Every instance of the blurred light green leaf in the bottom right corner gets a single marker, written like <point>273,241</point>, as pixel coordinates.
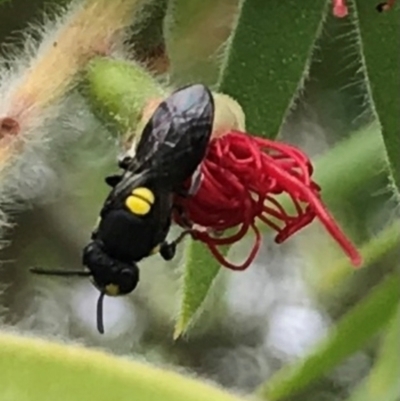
<point>383,383</point>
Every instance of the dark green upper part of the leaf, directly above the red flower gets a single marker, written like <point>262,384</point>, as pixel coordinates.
<point>268,58</point>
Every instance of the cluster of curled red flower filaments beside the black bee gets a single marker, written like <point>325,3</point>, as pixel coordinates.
<point>241,177</point>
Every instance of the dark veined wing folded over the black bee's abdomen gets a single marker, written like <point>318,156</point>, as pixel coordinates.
<point>175,140</point>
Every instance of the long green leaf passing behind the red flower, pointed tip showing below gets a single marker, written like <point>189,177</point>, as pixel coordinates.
<point>265,64</point>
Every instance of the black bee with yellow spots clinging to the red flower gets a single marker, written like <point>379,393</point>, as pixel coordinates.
<point>136,216</point>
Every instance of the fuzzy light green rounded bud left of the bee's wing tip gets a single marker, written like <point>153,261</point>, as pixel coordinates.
<point>118,91</point>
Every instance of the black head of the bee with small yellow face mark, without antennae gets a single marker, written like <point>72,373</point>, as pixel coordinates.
<point>110,276</point>
